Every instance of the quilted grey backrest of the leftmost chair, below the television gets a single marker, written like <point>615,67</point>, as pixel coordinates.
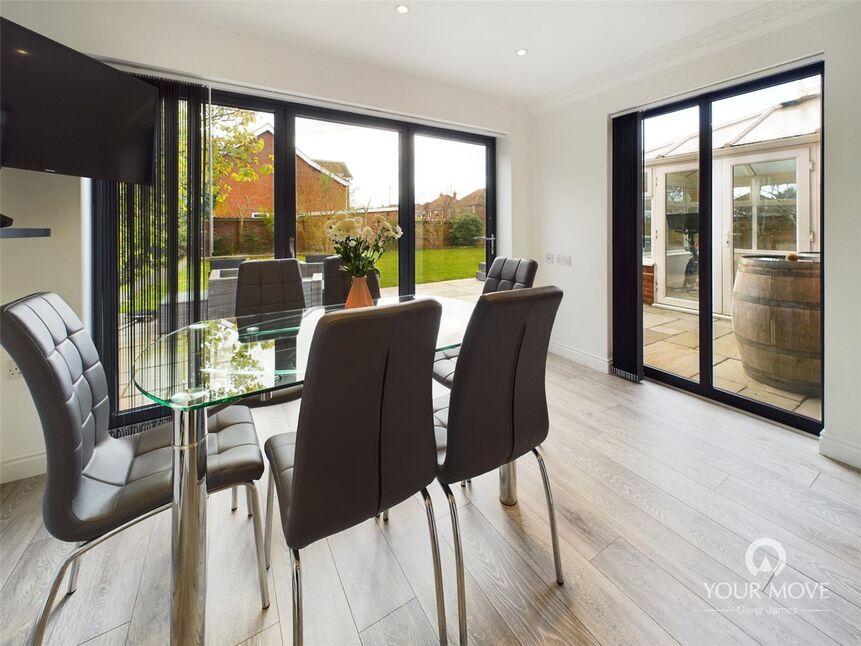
<point>61,367</point>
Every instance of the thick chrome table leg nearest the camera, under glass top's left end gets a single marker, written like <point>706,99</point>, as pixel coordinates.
<point>188,528</point>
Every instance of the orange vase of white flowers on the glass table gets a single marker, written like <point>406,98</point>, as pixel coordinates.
<point>361,243</point>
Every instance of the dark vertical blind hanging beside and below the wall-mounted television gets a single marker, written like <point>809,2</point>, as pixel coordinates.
<point>147,248</point>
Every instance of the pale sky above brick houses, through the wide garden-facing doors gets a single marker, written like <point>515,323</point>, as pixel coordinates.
<point>371,154</point>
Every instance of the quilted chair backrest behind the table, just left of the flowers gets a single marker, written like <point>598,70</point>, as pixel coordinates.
<point>266,286</point>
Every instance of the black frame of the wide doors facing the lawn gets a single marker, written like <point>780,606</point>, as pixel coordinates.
<point>287,112</point>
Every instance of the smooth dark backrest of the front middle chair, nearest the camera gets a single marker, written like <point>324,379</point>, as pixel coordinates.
<point>365,438</point>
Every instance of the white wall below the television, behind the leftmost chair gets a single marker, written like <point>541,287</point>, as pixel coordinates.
<point>30,265</point>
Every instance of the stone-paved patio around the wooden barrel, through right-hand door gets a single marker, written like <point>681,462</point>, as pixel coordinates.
<point>671,343</point>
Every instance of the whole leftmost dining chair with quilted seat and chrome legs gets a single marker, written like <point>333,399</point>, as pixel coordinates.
<point>98,486</point>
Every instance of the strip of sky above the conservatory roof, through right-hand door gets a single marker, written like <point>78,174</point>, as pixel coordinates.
<point>672,126</point>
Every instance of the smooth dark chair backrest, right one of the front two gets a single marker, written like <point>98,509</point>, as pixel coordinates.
<point>498,405</point>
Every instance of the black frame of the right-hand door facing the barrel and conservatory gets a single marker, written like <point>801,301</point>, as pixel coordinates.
<point>705,387</point>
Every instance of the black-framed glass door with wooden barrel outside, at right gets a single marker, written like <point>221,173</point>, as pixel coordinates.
<point>731,255</point>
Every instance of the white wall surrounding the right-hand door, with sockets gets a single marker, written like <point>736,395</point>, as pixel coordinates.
<point>570,191</point>
